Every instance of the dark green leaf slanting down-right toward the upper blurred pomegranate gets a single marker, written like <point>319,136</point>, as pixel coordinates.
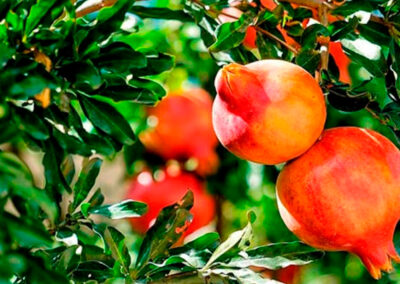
<point>106,118</point>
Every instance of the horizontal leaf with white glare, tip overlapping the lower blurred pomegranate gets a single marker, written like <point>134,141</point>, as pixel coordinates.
<point>124,209</point>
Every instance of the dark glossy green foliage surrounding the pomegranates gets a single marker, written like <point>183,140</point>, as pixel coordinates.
<point>69,85</point>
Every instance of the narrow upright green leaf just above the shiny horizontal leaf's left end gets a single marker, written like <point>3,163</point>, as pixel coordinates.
<point>86,180</point>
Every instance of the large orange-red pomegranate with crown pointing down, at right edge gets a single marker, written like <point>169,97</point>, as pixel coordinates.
<point>343,194</point>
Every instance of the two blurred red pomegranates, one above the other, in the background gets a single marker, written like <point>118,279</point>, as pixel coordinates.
<point>180,132</point>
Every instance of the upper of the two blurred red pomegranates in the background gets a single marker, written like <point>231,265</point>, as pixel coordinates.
<point>181,128</point>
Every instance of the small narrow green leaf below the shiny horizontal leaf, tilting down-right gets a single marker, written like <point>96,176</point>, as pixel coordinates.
<point>119,251</point>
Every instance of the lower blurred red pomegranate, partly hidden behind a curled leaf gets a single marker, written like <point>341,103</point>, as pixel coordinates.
<point>170,188</point>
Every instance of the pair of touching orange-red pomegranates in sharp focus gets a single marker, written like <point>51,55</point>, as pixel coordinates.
<point>339,189</point>
